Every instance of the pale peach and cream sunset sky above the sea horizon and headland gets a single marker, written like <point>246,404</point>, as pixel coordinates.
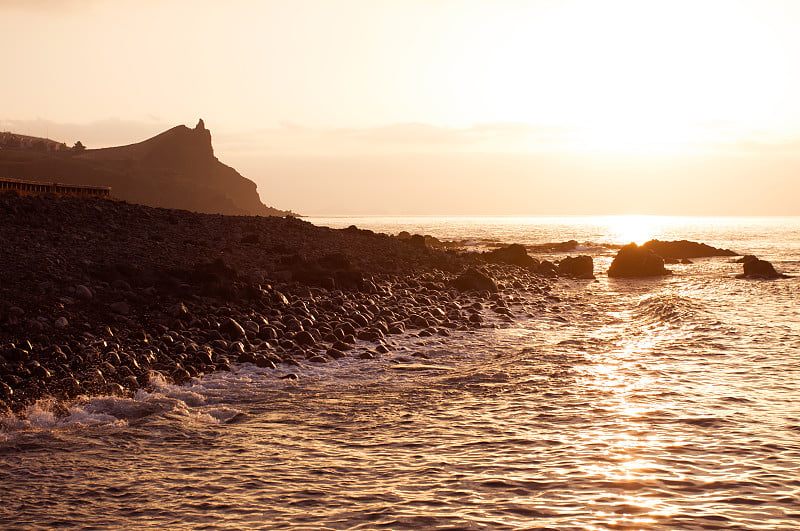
<point>440,107</point>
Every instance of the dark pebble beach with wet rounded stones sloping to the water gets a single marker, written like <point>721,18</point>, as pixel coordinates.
<point>97,296</point>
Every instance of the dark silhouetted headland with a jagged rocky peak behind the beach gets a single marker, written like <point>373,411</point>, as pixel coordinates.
<point>175,169</point>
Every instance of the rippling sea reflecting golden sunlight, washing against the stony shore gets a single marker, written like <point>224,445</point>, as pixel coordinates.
<point>660,403</point>
